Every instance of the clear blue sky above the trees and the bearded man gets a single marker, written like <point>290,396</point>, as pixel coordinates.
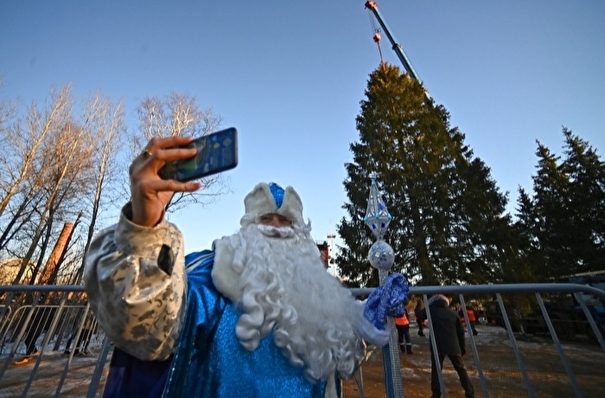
<point>290,76</point>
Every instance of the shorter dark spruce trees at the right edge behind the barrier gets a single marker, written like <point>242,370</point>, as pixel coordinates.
<point>564,222</point>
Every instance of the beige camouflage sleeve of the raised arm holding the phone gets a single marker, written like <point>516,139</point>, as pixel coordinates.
<point>134,277</point>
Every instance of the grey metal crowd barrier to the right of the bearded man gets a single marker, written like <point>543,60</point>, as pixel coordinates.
<point>527,337</point>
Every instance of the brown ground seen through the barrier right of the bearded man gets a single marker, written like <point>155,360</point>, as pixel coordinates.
<point>545,370</point>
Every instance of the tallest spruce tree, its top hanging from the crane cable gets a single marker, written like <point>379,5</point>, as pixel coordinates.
<point>448,216</point>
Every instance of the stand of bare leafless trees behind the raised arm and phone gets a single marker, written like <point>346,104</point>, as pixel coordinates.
<point>66,164</point>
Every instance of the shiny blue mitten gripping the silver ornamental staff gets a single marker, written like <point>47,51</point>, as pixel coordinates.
<point>387,300</point>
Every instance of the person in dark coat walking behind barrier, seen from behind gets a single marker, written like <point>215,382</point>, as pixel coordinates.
<point>449,338</point>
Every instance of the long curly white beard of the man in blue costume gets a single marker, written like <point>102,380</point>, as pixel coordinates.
<point>286,289</point>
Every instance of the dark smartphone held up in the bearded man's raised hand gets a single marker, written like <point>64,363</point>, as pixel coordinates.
<point>216,152</point>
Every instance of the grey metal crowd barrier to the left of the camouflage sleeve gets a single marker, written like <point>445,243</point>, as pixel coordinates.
<point>50,343</point>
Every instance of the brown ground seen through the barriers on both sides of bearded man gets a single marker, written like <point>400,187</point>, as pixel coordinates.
<point>499,366</point>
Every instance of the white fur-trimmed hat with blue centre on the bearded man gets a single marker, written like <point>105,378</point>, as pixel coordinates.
<point>273,199</point>
